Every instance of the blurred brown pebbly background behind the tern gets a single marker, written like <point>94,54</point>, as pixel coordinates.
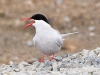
<point>67,16</point>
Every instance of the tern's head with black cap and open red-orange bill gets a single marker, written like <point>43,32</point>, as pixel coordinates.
<point>35,18</point>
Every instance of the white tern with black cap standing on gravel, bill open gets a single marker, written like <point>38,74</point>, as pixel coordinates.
<point>48,40</point>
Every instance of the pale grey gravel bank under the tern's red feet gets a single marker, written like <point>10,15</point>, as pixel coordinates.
<point>86,62</point>
